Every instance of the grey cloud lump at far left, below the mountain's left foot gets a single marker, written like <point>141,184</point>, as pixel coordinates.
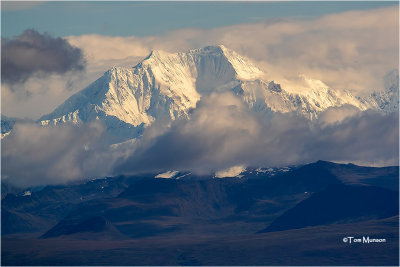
<point>34,155</point>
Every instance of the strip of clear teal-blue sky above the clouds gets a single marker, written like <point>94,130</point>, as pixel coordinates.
<point>153,18</point>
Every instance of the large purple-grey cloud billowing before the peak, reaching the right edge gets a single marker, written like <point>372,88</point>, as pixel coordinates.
<point>223,132</point>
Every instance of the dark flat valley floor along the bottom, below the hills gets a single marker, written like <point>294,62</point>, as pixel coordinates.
<point>318,245</point>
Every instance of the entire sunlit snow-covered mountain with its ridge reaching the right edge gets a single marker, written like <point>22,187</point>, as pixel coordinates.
<point>166,85</point>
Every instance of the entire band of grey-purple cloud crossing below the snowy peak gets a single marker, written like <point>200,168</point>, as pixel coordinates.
<point>222,132</point>
